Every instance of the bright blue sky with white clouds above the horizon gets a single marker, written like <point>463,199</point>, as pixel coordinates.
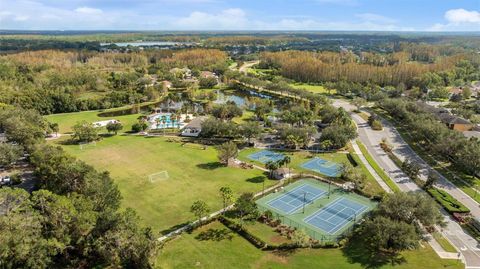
<point>380,15</point>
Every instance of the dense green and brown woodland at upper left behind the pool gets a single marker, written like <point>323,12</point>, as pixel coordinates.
<point>55,81</point>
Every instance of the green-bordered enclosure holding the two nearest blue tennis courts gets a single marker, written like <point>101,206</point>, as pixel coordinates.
<point>322,210</point>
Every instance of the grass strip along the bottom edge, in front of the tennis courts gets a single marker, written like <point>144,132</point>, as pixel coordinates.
<point>187,251</point>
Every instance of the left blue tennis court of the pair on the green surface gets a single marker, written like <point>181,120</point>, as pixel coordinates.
<point>294,199</point>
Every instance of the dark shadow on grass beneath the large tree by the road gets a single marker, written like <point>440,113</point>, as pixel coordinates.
<point>357,251</point>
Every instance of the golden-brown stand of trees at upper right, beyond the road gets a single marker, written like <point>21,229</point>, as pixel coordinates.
<point>411,66</point>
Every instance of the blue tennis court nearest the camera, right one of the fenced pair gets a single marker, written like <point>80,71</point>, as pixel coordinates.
<point>335,215</point>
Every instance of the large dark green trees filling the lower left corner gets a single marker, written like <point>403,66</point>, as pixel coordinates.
<point>74,219</point>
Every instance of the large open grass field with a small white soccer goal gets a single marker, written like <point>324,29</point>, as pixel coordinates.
<point>193,174</point>
